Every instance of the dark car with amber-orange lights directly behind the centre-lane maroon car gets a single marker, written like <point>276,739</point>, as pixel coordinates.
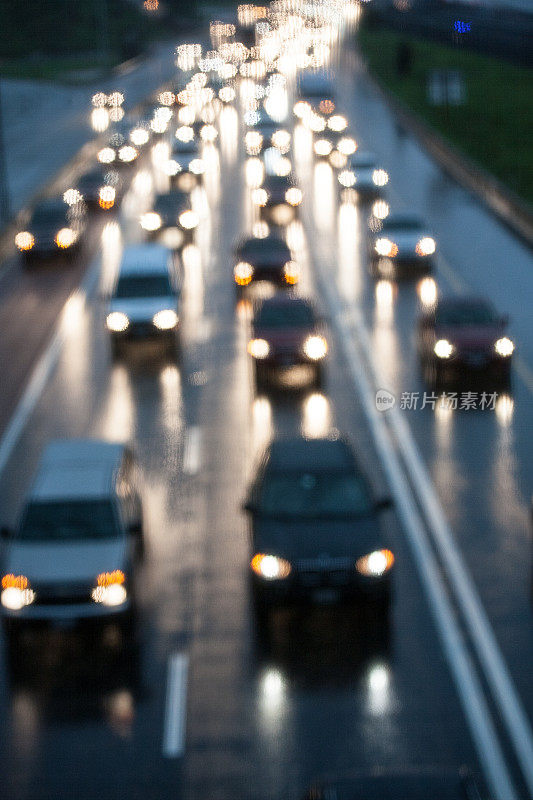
<point>264,259</point>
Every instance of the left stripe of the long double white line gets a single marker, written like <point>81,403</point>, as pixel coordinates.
<point>467,683</point>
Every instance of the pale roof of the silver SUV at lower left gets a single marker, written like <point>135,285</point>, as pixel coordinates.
<point>76,469</point>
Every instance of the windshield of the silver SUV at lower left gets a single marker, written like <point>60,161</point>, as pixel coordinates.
<point>69,521</point>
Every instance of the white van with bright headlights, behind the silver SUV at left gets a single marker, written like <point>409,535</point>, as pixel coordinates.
<point>145,302</point>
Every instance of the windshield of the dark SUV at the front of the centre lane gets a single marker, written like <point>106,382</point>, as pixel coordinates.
<point>305,495</point>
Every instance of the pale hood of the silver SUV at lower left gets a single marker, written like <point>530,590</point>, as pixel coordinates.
<point>51,562</point>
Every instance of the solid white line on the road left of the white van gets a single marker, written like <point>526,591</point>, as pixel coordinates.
<point>44,368</point>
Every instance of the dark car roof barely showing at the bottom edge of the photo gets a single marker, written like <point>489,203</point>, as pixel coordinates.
<point>415,784</point>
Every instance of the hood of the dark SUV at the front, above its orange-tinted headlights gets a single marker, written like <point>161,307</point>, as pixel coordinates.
<point>317,538</point>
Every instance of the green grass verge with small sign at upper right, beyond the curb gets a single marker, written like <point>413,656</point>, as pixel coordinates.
<point>493,127</point>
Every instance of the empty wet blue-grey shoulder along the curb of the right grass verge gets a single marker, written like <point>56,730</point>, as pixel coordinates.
<point>479,248</point>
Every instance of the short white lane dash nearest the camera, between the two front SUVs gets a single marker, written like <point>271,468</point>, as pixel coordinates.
<point>175,706</point>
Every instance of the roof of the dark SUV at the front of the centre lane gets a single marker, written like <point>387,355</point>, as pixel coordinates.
<point>317,455</point>
